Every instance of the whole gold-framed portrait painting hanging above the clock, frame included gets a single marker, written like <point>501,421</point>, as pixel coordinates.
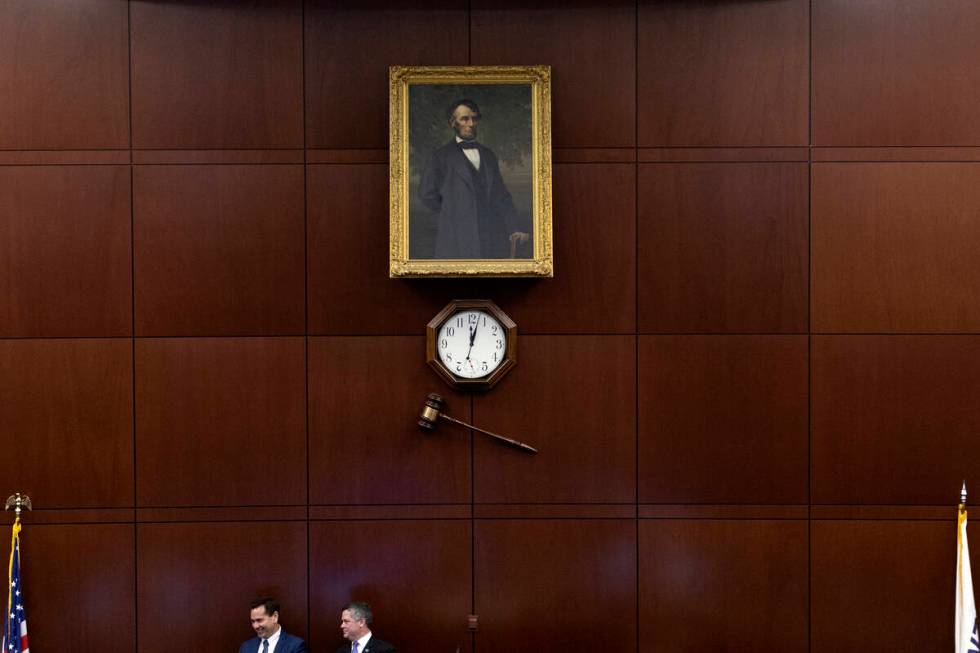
<point>470,171</point>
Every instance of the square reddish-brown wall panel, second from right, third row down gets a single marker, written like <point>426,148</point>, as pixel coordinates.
<point>723,419</point>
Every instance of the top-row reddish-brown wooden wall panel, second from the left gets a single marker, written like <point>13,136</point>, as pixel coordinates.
<point>222,74</point>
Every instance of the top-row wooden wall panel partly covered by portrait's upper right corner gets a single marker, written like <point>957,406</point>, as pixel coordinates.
<point>591,49</point>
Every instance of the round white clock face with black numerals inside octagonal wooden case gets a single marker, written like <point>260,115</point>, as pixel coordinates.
<point>472,344</point>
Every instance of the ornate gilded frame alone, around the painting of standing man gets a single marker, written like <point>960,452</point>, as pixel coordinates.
<point>541,264</point>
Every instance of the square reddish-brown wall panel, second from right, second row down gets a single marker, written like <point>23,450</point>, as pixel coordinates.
<point>722,247</point>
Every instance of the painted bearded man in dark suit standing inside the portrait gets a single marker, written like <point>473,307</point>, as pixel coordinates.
<point>462,186</point>
